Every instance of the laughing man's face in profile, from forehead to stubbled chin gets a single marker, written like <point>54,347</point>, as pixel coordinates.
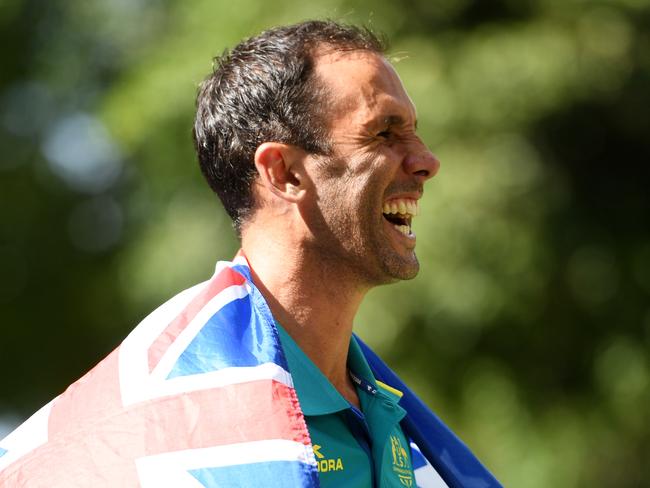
<point>367,191</point>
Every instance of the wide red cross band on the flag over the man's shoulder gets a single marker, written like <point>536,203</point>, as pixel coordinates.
<point>100,452</point>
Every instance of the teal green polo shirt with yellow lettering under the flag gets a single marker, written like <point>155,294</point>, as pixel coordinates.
<point>353,448</point>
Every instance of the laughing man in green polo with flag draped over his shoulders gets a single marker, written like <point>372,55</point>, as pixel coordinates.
<point>254,377</point>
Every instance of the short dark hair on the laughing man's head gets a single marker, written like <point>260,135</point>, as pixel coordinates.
<point>265,90</point>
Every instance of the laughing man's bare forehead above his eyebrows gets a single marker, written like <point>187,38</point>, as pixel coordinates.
<point>363,87</point>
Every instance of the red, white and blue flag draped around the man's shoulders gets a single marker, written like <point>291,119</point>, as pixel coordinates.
<point>198,395</point>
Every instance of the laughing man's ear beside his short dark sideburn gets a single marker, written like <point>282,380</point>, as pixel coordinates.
<point>280,169</point>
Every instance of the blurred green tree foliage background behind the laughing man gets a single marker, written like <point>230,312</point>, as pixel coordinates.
<point>528,329</point>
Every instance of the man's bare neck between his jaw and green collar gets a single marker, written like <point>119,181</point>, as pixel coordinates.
<point>313,300</point>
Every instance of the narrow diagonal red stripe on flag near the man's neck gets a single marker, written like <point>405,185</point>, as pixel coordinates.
<point>226,277</point>
